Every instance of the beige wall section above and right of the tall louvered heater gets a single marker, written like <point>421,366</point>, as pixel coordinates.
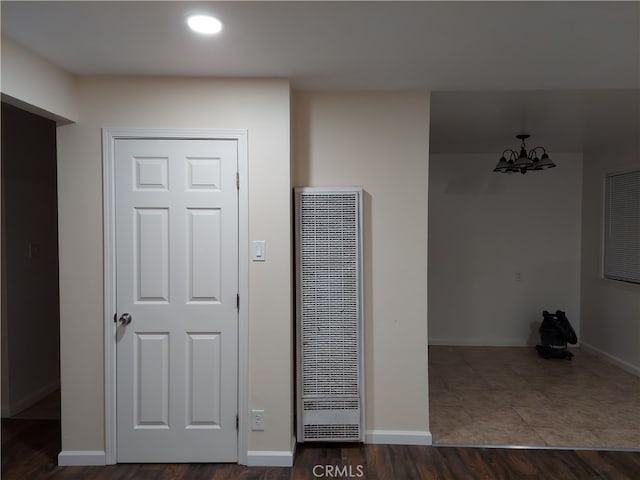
<point>380,141</point>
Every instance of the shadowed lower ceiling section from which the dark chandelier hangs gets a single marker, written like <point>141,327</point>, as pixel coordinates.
<point>560,120</point>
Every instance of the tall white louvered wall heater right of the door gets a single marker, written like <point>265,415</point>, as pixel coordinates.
<point>329,314</point>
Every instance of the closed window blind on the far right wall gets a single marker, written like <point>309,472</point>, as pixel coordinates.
<point>622,227</point>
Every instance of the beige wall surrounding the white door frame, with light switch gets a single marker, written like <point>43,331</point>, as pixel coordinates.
<point>261,107</point>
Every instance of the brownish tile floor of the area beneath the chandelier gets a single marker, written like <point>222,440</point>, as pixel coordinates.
<point>511,396</point>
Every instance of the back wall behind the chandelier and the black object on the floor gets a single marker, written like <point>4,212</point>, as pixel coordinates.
<point>484,229</point>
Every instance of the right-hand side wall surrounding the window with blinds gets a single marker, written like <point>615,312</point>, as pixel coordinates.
<point>610,309</point>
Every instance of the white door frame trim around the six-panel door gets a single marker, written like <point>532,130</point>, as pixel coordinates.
<point>109,137</point>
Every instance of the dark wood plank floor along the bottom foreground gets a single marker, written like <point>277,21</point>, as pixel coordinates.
<point>30,448</point>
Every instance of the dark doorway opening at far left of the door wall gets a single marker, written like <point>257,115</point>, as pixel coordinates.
<point>30,288</point>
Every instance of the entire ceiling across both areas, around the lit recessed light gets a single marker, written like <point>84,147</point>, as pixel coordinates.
<point>554,69</point>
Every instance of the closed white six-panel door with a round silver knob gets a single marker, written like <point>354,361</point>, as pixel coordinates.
<point>177,278</point>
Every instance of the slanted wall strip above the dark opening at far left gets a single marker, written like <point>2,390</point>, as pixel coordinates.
<point>30,82</point>
